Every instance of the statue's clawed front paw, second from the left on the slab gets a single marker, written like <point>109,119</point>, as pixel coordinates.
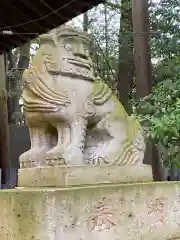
<point>54,157</point>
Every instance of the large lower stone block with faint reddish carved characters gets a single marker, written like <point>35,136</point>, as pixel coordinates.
<point>107,212</point>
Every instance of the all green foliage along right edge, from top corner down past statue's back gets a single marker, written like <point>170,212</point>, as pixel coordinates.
<point>159,112</point>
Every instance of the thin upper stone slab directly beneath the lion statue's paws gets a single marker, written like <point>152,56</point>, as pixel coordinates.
<point>65,175</point>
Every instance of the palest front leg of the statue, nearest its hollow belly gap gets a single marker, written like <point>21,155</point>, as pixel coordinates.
<point>74,153</point>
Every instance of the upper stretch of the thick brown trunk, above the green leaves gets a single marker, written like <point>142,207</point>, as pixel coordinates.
<point>141,48</point>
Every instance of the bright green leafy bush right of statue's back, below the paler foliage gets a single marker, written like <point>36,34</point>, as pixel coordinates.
<point>159,112</point>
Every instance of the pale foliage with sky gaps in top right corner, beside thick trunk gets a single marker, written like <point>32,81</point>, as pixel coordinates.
<point>166,29</point>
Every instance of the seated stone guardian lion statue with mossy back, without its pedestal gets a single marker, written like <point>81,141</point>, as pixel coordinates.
<point>74,118</point>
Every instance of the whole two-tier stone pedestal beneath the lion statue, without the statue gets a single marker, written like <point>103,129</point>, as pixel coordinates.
<point>87,204</point>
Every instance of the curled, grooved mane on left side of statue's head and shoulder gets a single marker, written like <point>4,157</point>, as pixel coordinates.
<point>44,65</point>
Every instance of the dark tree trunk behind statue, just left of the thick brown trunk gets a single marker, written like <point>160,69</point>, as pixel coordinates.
<point>126,64</point>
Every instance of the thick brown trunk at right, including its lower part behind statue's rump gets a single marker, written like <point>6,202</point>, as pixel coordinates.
<point>144,72</point>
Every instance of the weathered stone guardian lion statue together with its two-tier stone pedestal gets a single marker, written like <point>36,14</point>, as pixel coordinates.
<point>83,141</point>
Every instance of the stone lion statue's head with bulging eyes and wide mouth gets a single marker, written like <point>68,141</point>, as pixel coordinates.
<point>67,52</point>
